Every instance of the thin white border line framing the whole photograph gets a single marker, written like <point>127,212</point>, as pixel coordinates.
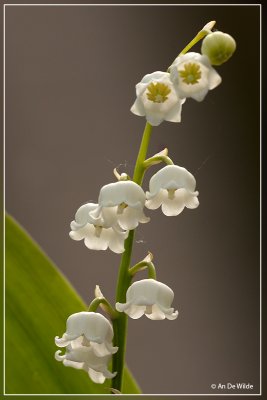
<point>4,92</point>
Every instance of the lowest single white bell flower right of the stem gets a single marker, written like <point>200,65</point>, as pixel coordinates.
<point>148,297</point>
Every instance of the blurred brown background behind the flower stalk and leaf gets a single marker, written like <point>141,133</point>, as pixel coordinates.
<point>70,78</point>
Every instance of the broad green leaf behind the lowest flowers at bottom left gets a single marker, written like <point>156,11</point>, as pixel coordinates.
<point>38,301</point>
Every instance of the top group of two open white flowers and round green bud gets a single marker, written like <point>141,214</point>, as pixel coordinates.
<point>160,95</point>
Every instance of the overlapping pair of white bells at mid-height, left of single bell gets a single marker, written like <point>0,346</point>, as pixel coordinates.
<point>107,224</point>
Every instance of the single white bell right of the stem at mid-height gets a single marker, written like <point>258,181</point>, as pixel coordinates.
<point>172,188</point>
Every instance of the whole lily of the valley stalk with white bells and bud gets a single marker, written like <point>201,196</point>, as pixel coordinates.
<point>97,343</point>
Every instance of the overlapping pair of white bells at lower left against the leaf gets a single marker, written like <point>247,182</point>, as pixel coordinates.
<point>88,342</point>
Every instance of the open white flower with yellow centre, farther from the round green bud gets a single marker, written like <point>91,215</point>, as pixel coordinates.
<point>157,99</point>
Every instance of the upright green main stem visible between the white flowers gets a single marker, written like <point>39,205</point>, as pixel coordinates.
<point>124,278</point>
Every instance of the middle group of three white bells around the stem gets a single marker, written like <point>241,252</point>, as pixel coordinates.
<point>121,205</point>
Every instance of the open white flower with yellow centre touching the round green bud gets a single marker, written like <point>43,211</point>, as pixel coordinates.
<point>193,76</point>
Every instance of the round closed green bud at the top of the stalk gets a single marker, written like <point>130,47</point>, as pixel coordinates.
<point>218,47</point>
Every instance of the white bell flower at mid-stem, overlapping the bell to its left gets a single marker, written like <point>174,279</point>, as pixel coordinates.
<point>121,203</point>
